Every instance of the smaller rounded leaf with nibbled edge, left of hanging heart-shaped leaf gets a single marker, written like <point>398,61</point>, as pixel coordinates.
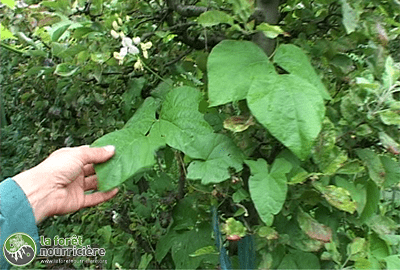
<point>218,155</point>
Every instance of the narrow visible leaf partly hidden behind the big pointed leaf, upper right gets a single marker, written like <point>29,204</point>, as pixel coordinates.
<point>295,61</point>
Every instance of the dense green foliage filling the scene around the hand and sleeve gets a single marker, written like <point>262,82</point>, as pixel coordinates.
<point>227,156</point>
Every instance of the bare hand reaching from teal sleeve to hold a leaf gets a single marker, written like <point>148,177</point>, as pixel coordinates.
<point>58,184</point>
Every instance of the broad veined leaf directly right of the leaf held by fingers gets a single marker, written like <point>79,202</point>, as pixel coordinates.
<point>180,120</point>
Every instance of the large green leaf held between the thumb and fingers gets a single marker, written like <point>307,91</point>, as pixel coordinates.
<point>134,149</point>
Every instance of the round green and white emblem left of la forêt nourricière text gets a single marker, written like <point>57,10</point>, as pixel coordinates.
<point>19,249</point>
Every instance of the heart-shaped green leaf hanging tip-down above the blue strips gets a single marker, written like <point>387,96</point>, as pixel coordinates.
<point>268,189</point>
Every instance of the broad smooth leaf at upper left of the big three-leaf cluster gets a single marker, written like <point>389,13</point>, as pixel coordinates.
<point>233,67</point>
